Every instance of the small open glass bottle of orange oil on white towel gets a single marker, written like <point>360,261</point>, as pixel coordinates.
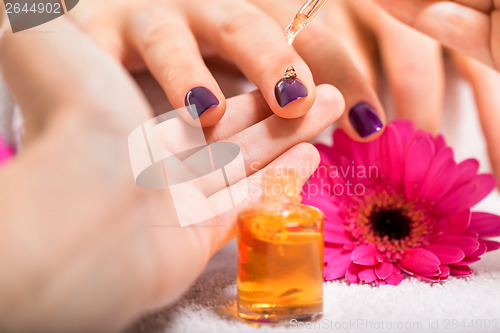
<point>280,254</point>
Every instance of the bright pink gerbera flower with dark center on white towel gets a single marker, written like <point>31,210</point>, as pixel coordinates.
<point>400,204</point>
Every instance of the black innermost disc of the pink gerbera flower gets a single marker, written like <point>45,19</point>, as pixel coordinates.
<point>391,223</point>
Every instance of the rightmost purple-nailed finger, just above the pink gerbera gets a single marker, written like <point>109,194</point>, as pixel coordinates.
<point>332,53</point>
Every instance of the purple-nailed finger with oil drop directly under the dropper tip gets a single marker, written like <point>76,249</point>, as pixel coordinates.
<point>256,44</point>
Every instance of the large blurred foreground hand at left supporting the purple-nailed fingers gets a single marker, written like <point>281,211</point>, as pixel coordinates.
<point>78,245</point>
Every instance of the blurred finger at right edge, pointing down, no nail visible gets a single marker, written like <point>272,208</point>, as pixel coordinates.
<point>485,83</point>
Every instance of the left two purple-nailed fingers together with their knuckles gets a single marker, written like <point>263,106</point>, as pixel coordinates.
<point>170,38</point>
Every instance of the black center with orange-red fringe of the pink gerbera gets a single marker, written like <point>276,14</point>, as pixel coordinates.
<point>384,218</point>
